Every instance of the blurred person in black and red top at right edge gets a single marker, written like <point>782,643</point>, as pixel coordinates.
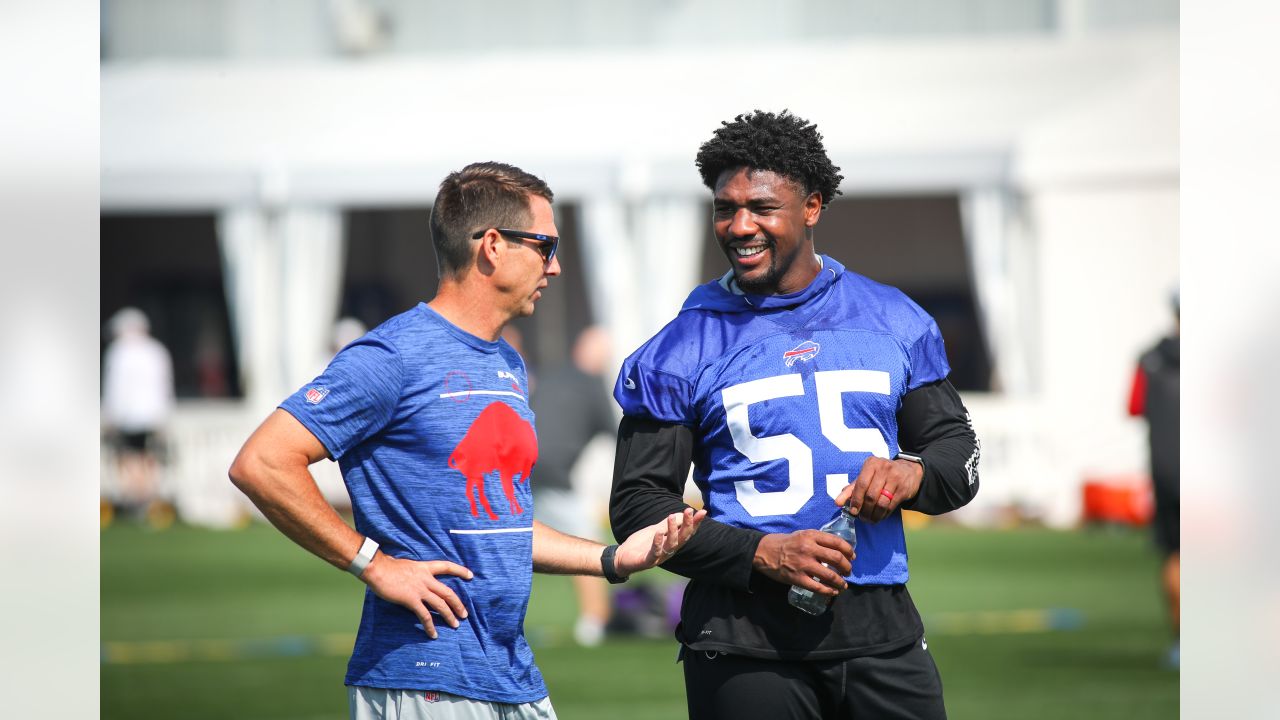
<point>1155,397</point>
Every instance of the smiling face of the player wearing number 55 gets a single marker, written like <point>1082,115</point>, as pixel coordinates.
<point>762,221</point>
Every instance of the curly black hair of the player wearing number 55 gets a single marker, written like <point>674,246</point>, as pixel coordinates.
<point>781,143</point>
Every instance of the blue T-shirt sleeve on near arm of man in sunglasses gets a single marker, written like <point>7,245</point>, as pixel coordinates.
<point>354,399</point>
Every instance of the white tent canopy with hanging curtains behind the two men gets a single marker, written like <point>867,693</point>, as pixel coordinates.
<point>1064,152</point>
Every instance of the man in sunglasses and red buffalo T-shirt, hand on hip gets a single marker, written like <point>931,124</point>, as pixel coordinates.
<point>428,418</point>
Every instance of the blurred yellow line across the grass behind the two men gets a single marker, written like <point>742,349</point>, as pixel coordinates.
<point>135,653</point>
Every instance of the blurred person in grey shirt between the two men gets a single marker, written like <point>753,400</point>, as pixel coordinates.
<point>573,407</point>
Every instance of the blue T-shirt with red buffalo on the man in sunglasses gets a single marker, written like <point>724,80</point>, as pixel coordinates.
<point>436,440</point>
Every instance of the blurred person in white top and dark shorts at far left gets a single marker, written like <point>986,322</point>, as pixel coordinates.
<point>138,402</point>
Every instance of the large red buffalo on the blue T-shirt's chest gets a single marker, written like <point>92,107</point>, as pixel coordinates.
<point>497,441</point>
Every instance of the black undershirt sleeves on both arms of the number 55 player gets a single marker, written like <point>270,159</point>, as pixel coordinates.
<point>653,461</point>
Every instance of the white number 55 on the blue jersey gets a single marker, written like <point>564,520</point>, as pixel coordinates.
<point>831,385</point>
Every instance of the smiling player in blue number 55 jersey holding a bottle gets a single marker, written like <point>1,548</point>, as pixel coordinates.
<point>793,385</point>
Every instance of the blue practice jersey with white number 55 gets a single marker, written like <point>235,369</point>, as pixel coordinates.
<point>788,397</point>
